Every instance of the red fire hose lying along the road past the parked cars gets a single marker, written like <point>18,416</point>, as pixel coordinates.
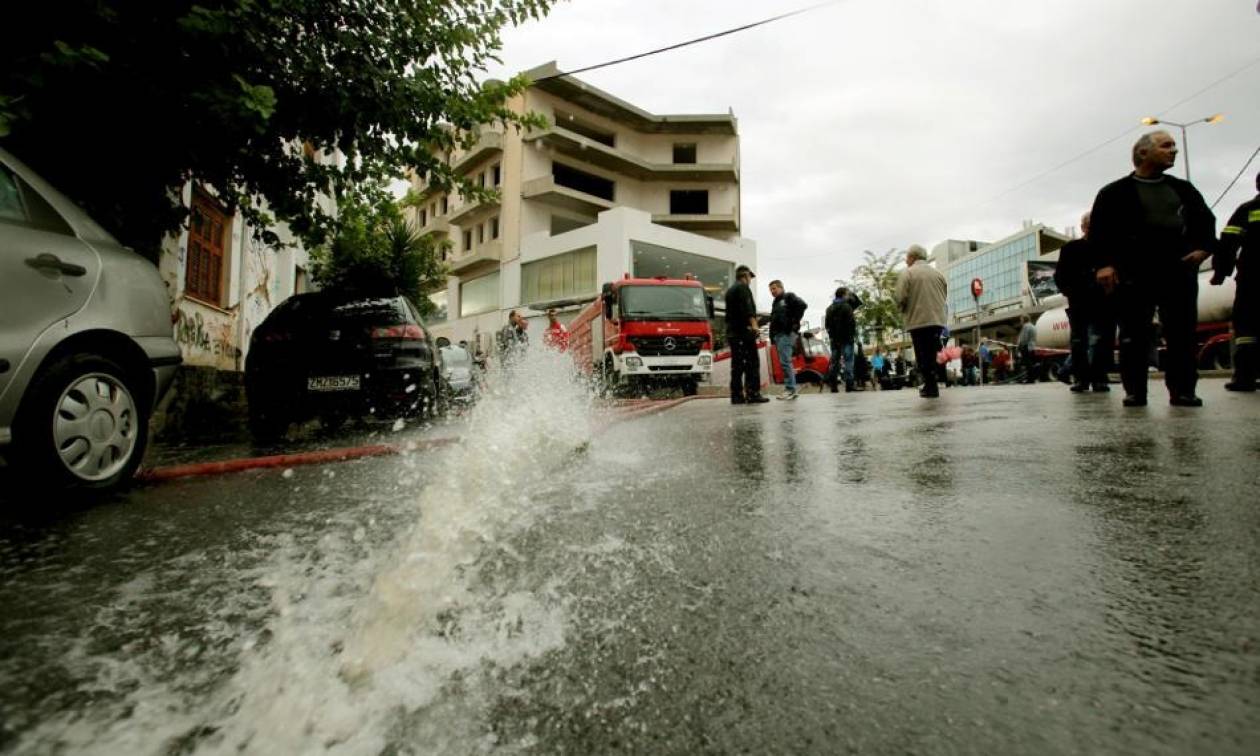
<point>353,453</point>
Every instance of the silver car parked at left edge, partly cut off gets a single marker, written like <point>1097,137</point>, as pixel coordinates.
<point>86,343</point>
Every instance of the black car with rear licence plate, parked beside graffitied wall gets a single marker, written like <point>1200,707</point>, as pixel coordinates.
<point>336,357</point>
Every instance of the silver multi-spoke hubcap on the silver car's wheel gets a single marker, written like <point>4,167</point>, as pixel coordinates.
<point>95,428</point>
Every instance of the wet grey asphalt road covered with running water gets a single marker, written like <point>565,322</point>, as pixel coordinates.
<point>1006,570</point>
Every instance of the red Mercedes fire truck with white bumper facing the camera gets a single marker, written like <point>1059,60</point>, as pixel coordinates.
<point>647,333</point>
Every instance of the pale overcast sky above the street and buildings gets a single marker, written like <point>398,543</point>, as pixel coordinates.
<point>878,124</point>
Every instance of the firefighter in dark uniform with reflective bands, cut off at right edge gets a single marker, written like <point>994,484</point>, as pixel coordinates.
<point>1240,240</point>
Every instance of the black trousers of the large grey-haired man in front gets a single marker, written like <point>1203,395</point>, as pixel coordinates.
<point>1174,293</point>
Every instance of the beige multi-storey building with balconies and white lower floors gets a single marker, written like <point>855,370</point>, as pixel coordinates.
<point>604,191</point>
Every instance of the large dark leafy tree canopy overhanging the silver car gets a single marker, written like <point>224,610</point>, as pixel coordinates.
<point>119,104</point>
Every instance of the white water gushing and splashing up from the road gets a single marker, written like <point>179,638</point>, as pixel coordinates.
<point>360,648</point>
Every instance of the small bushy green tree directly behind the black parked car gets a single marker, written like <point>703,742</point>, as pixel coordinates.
<point>377,251</point>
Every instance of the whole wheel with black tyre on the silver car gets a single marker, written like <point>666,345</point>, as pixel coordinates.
<point>83,425</point>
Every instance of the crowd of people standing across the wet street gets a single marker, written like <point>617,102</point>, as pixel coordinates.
<point>1145,241</point>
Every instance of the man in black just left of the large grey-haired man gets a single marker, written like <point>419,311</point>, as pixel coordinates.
<point>1089,313</point>
